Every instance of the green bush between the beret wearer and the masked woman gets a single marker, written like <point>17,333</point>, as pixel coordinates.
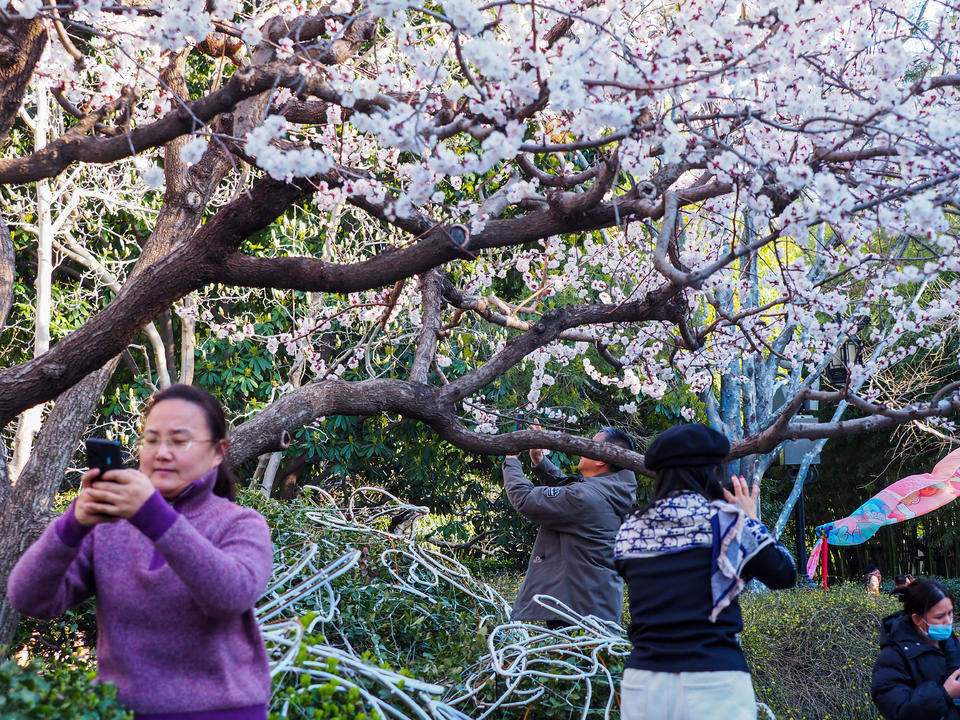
<point>811,653</point>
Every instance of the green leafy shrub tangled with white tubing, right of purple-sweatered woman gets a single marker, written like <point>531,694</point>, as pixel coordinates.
<point>435,639</point>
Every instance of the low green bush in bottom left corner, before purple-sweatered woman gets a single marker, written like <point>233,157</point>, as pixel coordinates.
<point>55,691</point>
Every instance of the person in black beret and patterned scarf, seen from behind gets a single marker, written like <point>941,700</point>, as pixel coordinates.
<point>685,558</point>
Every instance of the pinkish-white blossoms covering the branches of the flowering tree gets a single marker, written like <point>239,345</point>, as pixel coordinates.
<point>822,157</point>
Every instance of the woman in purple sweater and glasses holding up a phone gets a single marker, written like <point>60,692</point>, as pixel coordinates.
<point>176,568</point>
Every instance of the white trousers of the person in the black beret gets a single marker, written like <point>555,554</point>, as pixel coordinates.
<point>724,695</point>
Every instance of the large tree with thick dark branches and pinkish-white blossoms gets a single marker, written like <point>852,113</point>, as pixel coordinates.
<point>682,190</point>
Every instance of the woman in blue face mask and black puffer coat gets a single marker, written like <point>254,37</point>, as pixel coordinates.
<point>916,675</point>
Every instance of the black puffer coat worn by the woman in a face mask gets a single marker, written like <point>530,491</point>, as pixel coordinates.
<point>910,671</point>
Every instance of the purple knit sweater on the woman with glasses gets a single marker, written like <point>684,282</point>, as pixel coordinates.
<point>175,588</point>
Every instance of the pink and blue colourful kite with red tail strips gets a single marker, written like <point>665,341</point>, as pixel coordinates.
<point>903,500</point>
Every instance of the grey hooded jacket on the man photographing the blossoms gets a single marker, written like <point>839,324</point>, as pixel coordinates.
<point>572,558</point>
